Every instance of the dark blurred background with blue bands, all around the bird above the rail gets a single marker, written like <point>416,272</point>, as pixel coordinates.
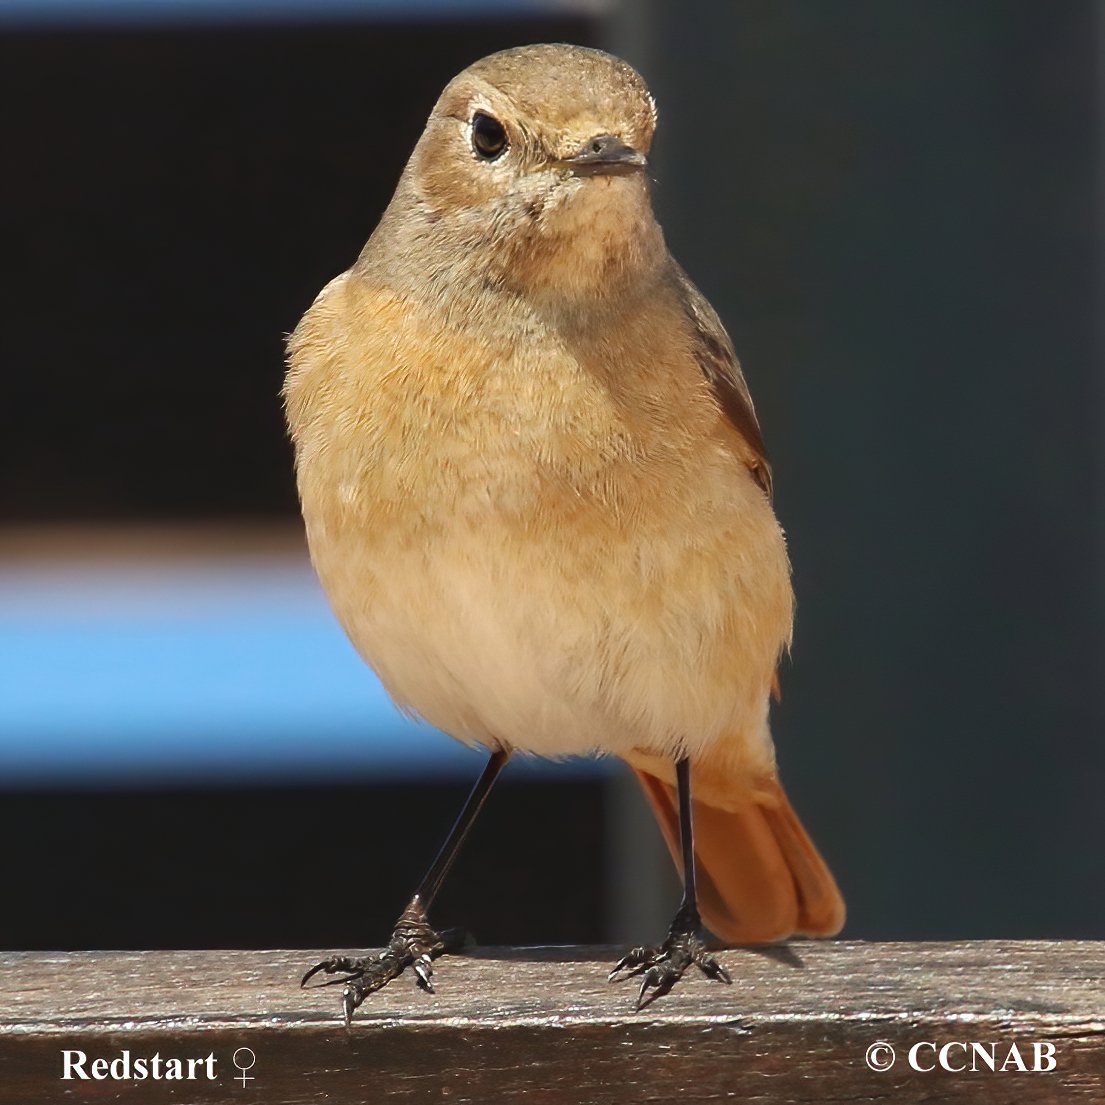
<point>897,211</point>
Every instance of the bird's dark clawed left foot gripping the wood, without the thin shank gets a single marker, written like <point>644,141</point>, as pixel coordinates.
<point>414,944</point>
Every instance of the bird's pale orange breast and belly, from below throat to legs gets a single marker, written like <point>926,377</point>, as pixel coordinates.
<point>538,541</point>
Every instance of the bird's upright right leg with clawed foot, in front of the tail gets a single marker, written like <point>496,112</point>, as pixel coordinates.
<point>661,967</point>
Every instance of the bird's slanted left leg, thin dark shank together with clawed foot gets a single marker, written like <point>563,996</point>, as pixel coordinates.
<point>414,943</point>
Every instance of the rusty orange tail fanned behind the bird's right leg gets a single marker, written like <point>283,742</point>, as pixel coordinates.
<point>760,877</point>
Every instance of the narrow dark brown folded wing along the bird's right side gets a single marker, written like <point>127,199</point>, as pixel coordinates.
<point>719,363</point>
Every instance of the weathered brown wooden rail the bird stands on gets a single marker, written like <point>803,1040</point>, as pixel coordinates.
<point>544,1027</point>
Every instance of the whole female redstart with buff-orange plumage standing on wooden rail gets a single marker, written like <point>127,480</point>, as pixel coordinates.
<point>538,497</point>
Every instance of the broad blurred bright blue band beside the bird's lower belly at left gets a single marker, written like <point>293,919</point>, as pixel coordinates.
<point>219,672</point>
